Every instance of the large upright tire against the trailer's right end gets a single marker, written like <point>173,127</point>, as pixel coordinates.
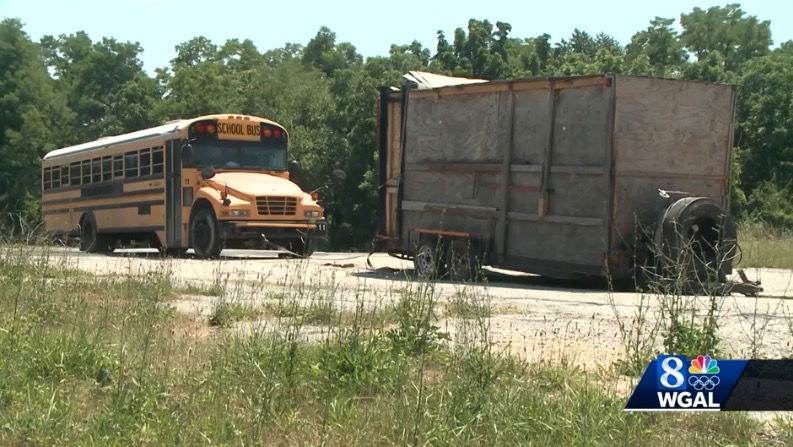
<point>695,240</point>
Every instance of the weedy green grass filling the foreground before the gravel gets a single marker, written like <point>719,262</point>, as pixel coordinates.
<point>107,361</point>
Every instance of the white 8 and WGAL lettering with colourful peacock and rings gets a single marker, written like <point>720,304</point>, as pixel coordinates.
<point>686,388</point>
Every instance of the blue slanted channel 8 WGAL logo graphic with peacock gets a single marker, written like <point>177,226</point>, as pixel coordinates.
<point>675,383</point>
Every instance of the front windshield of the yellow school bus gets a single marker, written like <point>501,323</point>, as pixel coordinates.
<point>245,155</point>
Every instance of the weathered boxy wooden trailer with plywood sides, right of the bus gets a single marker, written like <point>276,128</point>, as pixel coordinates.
<point>565,177</point>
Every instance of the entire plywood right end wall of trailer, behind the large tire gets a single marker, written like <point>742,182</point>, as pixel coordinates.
<point>669,135</point>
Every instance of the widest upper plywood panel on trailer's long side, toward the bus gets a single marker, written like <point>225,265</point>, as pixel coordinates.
<point>452,129</point>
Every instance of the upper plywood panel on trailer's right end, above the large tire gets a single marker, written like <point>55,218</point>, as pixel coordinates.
<point>677,127</point>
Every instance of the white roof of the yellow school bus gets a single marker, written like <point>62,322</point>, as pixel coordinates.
<point>152,132</point>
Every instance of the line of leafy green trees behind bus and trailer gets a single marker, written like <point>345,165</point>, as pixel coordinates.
<point>69,89</point>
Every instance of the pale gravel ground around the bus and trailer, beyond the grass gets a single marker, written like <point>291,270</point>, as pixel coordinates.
<point>536,318</point>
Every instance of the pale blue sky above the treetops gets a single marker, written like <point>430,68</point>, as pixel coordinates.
<point>159,25</point>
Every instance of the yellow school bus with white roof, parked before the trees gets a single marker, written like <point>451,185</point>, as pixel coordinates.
<point>207,183</point>
